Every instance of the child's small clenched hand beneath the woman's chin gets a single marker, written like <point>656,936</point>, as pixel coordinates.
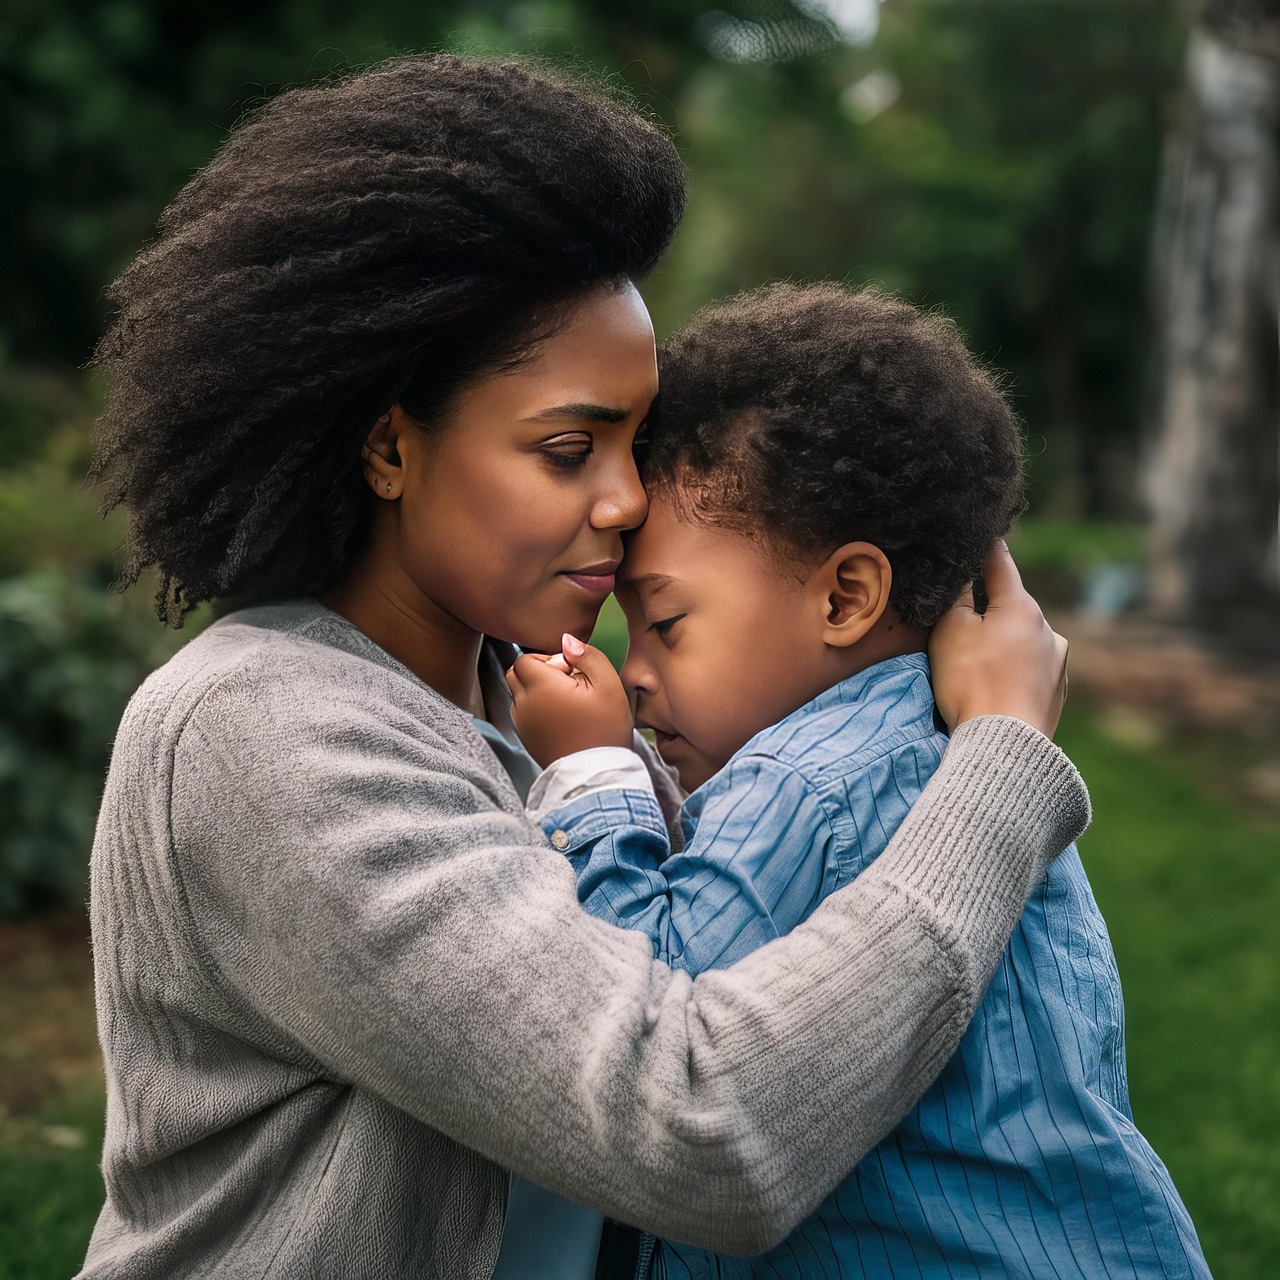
<point>568,703</point>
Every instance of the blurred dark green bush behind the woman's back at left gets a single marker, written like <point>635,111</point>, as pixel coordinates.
<point>71,655</point>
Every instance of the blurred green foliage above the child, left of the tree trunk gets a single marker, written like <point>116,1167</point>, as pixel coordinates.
<point>995,159</point>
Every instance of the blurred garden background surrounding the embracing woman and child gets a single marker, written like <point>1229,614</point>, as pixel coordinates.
<point>1089,186</point>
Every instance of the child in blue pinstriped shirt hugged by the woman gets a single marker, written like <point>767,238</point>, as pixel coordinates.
<point>828,473</point>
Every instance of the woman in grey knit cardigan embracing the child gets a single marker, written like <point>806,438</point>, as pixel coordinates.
<point>387,351</point>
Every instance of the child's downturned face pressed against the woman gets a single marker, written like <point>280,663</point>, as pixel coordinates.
<point>723,643</point>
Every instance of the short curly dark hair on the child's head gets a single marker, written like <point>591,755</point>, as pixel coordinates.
<point>819,415</point>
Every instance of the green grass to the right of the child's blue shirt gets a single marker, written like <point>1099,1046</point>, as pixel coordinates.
<point>1190,884</point>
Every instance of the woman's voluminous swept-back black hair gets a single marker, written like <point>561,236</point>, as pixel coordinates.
<point>378,240</point>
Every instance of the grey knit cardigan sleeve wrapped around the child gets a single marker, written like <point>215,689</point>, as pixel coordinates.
<point>359,883</point>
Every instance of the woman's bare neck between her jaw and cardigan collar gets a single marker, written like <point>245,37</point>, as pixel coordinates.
<point>413,629</point>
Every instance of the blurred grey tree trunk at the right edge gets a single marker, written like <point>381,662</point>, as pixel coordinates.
<point>1214,482</point>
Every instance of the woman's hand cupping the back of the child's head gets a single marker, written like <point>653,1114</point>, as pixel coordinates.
<point>1005,662</point>
